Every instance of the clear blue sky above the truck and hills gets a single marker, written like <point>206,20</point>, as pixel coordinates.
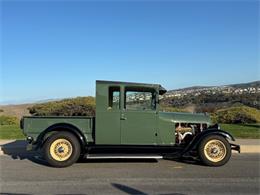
<point>57,49</point>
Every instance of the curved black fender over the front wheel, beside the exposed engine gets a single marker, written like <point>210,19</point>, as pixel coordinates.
<point>197,139</point>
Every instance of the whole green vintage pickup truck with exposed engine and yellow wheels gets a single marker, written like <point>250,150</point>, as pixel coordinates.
<point>128,124</point>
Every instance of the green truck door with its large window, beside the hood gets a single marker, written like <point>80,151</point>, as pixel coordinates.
<point>139,116</point>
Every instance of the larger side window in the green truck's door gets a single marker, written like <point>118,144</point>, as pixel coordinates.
<point>140,99</point>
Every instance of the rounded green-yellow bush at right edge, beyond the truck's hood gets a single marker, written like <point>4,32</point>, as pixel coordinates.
<point>237,114</point>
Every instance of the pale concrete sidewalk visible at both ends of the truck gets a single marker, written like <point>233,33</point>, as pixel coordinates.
<point>19,146</point>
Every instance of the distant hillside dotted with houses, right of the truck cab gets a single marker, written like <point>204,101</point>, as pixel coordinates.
<point>211,98</point>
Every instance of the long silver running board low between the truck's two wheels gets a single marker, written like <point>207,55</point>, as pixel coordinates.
<point>123,156</point>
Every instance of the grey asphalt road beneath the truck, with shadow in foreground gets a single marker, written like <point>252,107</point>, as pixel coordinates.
<point>29,175</point>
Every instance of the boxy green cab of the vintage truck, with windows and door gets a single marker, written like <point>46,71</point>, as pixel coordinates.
<point>127,113</point>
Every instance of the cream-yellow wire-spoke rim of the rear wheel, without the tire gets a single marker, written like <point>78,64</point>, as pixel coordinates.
<point>61,149</point>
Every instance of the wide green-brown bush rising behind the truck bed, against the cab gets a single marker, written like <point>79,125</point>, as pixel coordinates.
<point>80,106</point>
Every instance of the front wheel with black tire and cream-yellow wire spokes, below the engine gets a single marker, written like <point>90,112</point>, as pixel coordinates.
<point>214,150</point>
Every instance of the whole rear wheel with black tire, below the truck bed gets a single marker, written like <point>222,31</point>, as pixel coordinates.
<point>61,149</point>
